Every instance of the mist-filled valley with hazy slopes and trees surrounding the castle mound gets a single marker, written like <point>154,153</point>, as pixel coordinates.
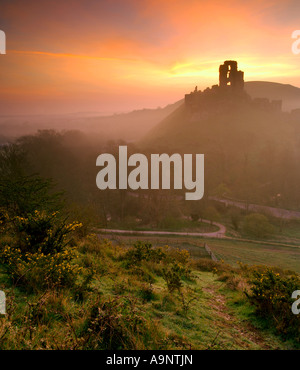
<point>251,155</point>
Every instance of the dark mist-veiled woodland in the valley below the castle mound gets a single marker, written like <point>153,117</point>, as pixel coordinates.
<point>40,170</point>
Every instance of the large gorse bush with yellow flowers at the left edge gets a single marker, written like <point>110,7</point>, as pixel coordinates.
<point>39,254</point>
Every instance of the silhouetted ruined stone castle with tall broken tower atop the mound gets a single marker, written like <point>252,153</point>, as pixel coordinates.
<point>229,94</point>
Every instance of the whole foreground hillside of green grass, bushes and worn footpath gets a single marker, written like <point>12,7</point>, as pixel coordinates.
<point>143,297</point>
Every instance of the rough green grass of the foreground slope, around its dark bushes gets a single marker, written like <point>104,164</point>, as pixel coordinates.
<point>217,317</point>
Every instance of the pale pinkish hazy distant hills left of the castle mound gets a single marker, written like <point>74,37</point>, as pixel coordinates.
<point>126,126</point>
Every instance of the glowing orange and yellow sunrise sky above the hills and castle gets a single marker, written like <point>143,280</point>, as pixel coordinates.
<point>117,55</point>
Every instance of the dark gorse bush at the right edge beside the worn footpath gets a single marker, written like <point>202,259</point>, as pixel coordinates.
<point>271,294</point>
